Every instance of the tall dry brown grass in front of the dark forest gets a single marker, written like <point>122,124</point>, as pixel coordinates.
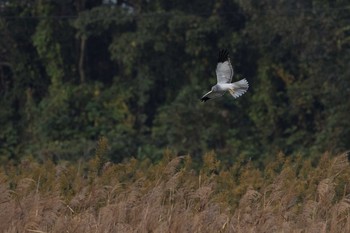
<point>290,195</point>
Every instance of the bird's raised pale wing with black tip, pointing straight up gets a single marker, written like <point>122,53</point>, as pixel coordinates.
<point>224,70</point>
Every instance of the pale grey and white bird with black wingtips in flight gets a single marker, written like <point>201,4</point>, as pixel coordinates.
<point>224,73</point>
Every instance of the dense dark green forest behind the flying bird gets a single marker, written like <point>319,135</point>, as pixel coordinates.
<point>131,72</point>
